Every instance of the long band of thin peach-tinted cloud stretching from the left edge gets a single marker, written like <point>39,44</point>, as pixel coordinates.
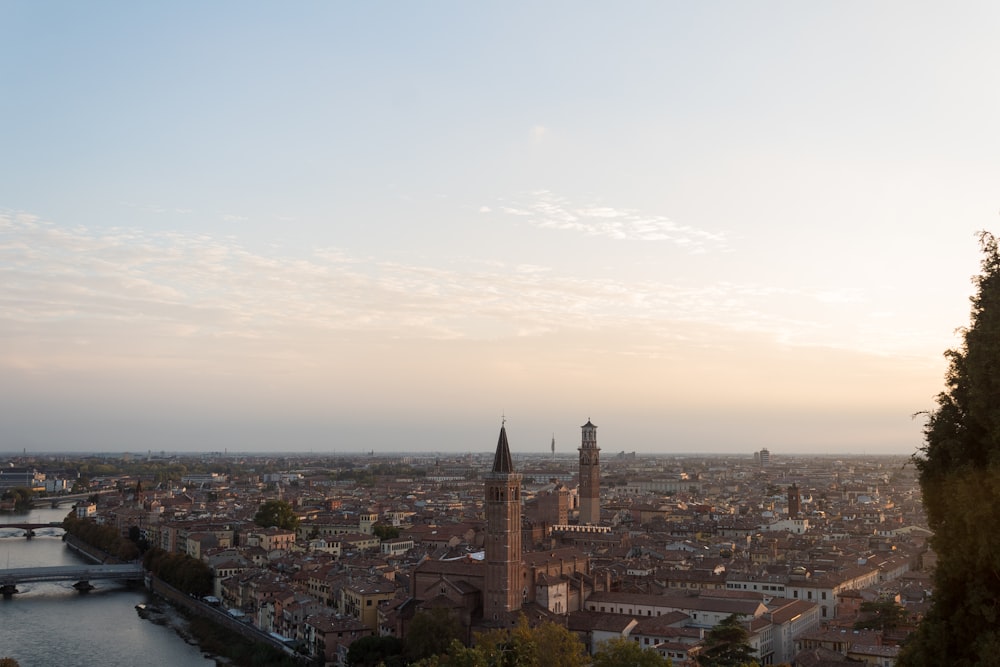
<point>131,292</point>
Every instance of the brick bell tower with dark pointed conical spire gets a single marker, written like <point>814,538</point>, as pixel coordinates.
<point>503,534</point>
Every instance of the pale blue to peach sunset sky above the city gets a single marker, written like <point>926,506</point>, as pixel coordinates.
<point>334,227</point>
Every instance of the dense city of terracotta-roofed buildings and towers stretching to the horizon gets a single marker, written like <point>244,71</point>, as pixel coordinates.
<point>653,549</point>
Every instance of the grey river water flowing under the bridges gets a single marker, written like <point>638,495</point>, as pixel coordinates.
<point>52,625</point>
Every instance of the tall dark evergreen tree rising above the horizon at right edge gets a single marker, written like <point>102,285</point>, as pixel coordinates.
<point>959,472</point>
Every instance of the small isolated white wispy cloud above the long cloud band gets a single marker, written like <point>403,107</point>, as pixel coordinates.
<point>549,211</point>
